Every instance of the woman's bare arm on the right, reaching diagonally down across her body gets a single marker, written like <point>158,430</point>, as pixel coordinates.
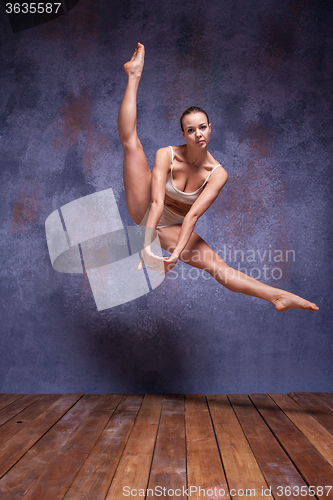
<point>199,207</point>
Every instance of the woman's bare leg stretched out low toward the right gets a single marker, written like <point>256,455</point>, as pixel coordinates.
<point>198,254</point>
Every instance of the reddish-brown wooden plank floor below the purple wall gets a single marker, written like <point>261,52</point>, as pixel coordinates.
<point>115,446</point>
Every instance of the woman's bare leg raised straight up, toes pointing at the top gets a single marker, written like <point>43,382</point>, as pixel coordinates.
<point>136,171</point>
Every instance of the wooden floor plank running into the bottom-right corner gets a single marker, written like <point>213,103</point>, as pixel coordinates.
<point>312,465</point>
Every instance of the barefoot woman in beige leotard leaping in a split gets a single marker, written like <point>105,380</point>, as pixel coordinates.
<point>184,183</point>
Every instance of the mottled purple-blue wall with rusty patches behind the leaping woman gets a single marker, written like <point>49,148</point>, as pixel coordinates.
<point>263,71</point>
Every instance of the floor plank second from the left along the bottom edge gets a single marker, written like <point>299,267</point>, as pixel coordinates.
<point>60,473</point>
